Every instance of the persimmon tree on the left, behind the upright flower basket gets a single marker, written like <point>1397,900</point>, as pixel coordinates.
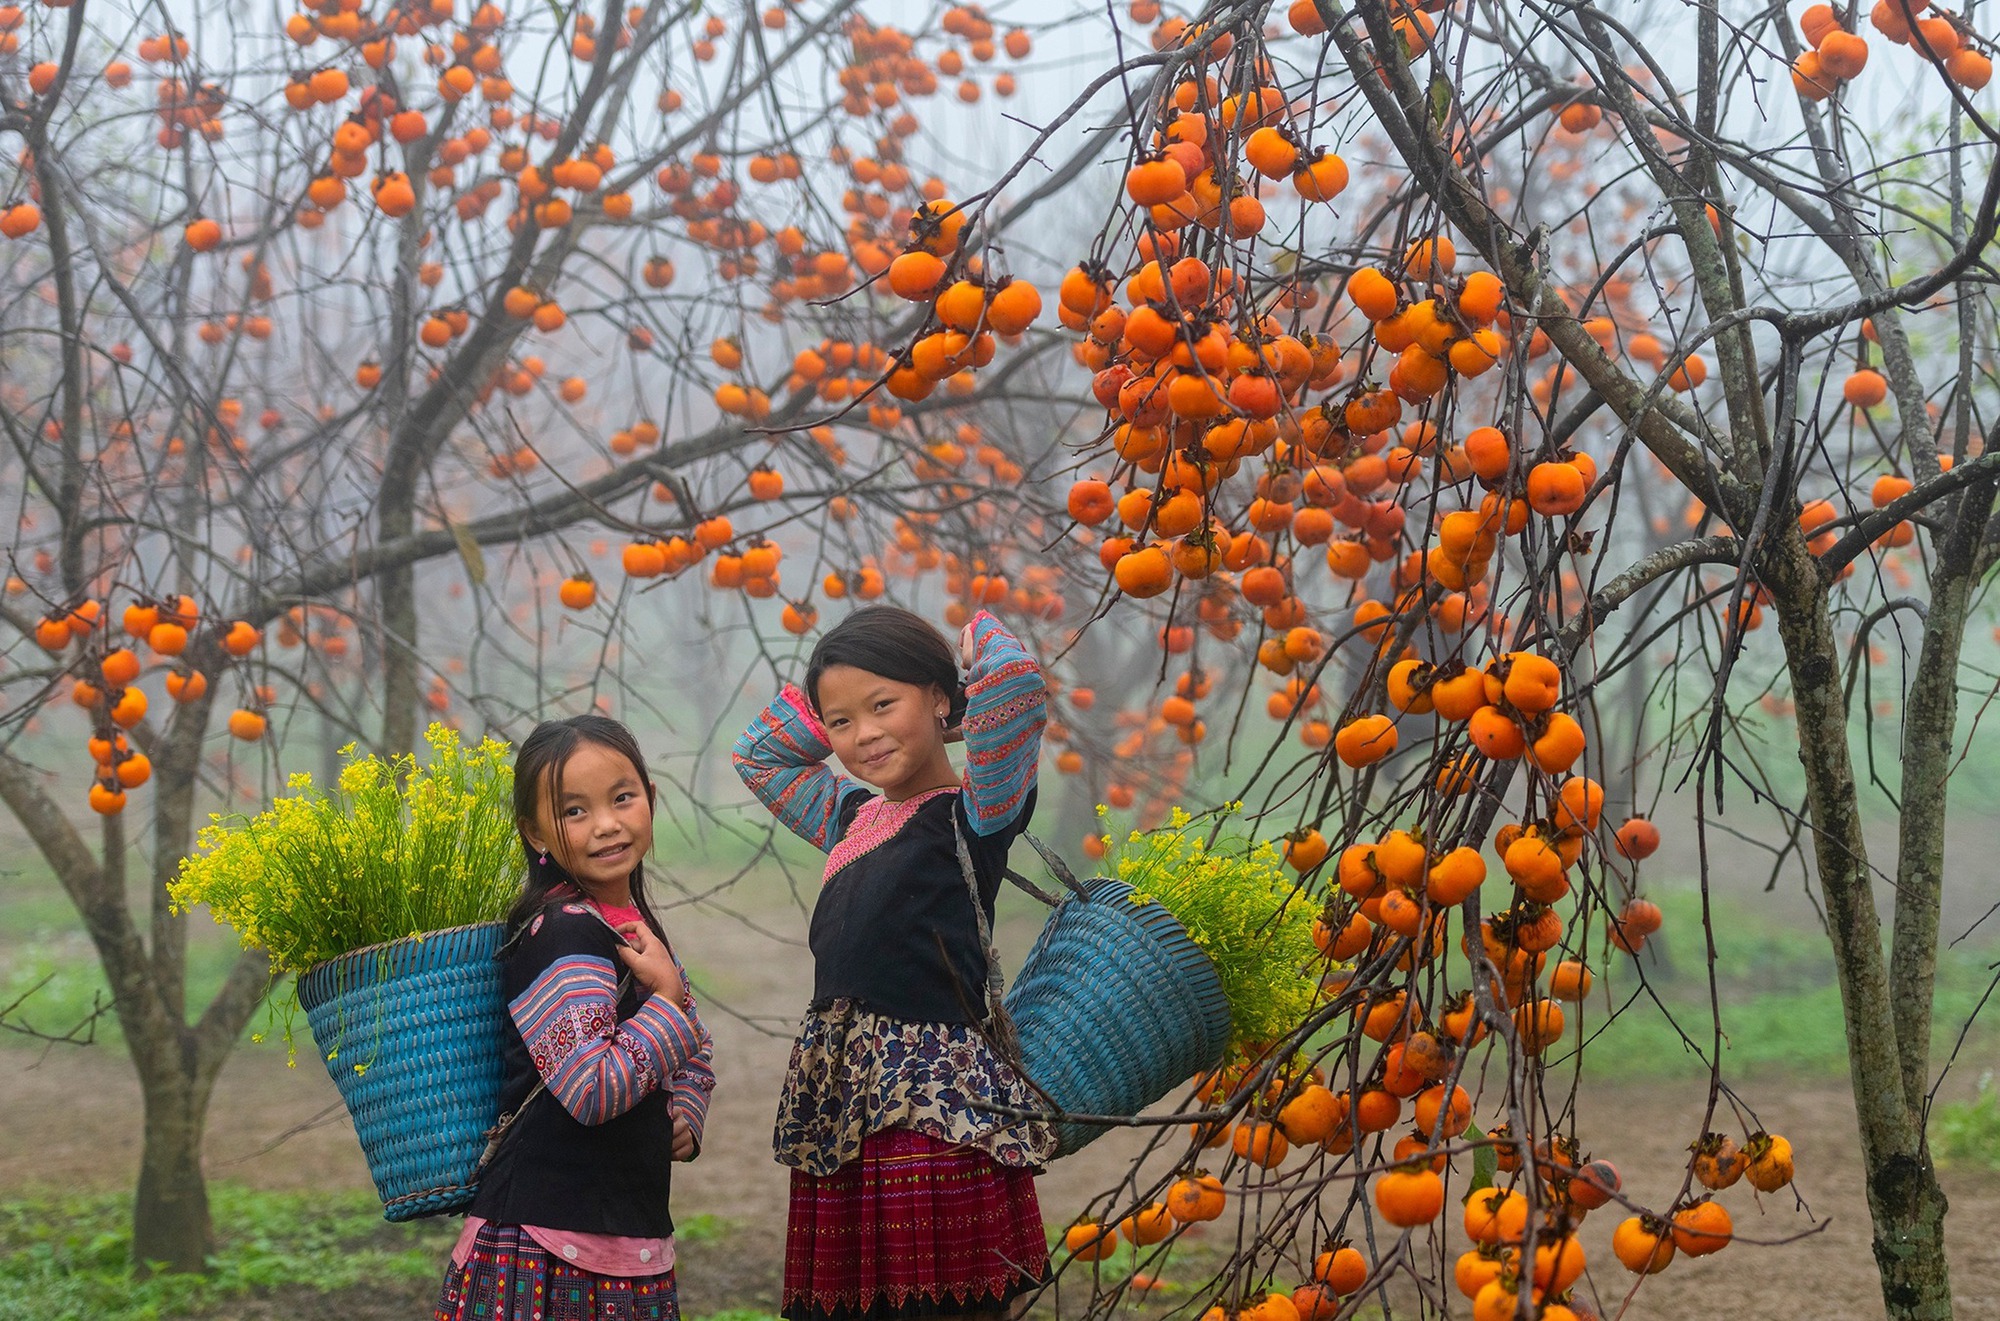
<point>335,351</point>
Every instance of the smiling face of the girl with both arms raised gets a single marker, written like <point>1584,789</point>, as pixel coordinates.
<point>887,734</point>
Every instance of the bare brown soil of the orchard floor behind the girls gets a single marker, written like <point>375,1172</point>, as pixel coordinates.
<point>73,1122</point>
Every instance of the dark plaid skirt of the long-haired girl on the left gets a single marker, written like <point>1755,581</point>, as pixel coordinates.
<point>511,1278</point>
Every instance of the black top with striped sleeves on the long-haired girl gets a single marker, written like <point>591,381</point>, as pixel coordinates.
<point>595,1156</point>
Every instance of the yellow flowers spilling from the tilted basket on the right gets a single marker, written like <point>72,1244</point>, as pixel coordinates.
<point>1243,912</point>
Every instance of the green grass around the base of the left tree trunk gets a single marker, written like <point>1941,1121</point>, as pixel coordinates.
<point>67,1256</point>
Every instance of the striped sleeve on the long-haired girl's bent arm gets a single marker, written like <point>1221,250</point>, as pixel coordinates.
<point>591,1062</point>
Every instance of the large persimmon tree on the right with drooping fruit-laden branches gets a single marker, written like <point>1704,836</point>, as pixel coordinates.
<point>1621,335</point>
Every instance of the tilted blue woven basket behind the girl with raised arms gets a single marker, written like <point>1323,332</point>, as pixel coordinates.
<point>1115,1008</point>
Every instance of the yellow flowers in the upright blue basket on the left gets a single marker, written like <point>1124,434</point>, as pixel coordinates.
<point>393,850</point>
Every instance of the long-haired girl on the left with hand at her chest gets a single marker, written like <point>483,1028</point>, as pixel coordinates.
<point>571,1222</point>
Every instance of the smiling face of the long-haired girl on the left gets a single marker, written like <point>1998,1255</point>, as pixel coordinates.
<point>599,826</point>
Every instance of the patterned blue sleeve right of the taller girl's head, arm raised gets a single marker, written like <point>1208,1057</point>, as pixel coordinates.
<point>1007,710</point>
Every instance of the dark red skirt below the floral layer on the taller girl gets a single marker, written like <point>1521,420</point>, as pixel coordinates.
<point>915,1228</point>
